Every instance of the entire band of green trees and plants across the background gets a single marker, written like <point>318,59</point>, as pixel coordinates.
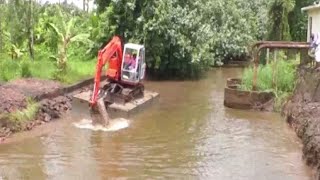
<point>182,38</point>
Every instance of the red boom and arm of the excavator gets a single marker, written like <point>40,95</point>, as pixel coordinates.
<point>111,54</point>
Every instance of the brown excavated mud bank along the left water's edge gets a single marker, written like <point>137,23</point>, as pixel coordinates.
<point>53,101</point>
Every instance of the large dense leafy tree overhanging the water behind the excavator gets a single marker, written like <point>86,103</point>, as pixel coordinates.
<point>183,38</point>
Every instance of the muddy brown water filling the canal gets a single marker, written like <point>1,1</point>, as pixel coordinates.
<point>188,134</point>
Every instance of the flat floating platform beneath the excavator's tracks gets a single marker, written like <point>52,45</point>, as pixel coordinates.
<point>118,110</point>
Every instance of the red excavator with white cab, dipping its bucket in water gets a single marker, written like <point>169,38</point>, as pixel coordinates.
<point>125,72</point>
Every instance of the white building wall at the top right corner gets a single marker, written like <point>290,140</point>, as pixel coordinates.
<point>315,15</point>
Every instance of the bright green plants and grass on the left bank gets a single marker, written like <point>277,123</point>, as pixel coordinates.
<point>57,35</point>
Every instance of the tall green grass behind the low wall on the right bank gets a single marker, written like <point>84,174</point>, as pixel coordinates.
<point>278,77</point>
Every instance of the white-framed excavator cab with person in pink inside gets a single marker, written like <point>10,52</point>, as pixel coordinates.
<point>133,63</point>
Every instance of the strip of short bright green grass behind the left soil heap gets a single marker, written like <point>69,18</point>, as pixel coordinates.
<point>44,69</point>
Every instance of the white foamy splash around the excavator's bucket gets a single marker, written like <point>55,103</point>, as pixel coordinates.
<point>114,125</point>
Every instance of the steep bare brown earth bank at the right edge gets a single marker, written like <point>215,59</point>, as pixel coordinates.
<point>302,112</point>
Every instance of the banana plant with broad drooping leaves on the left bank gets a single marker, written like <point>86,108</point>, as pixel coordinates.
<point>66,35</point>
